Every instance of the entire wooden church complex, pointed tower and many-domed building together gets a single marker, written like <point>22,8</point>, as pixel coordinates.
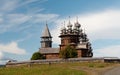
<point>72,35</point>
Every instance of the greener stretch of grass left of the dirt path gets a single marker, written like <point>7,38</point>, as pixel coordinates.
<point>54,69</point>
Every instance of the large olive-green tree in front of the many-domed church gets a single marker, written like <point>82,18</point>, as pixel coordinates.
<point>68,52</point>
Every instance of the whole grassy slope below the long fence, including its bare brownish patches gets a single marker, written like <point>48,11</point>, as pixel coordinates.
<point>83,68</point>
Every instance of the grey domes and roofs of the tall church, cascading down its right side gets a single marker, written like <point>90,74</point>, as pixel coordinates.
<point>76,30</point>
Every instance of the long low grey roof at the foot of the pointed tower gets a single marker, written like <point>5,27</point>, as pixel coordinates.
<point>49,50</point>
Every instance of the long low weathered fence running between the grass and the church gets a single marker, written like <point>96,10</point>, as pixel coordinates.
<point>51,61</point>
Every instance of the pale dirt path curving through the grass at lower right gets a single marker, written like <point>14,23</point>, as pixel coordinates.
<point>112,70</point>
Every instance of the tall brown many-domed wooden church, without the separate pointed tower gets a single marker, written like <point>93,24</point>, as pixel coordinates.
<point>76,38</point>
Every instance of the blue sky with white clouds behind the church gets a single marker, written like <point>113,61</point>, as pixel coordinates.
<point>22,23</point>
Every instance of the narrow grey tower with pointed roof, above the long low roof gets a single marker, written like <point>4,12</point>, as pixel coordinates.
<point>46,38</point>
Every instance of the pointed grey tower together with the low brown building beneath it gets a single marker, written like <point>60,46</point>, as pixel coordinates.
<point>46,45</point>
